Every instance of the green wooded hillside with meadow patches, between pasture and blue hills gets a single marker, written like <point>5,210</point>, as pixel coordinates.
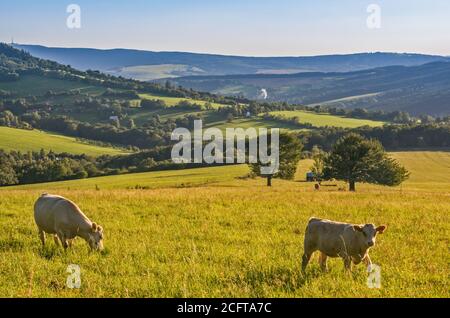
<point>127,124</point>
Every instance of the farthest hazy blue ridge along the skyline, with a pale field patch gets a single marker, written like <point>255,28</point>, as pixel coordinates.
<point>148,65</point>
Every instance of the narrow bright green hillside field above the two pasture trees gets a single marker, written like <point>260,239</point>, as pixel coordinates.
<point>321,120</point>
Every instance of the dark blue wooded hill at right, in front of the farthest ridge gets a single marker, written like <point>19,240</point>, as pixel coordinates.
<point>423,89</point>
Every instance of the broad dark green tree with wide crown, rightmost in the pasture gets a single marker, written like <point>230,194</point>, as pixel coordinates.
<point>356,159</point>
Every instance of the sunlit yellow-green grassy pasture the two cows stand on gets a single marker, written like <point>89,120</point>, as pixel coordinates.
<point>230,237</point>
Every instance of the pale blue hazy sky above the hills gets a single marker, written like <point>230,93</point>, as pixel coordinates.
<point>242,27</point>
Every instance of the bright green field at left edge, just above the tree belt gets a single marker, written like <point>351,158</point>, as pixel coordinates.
<point>35,140</point>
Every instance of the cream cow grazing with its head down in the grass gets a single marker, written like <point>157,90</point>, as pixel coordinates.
<point>63,218</point>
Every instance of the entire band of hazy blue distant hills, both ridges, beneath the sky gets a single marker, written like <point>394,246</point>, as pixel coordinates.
<point>417,84</point>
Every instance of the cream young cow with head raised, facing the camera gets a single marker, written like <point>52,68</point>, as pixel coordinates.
<point>335,239</point>
